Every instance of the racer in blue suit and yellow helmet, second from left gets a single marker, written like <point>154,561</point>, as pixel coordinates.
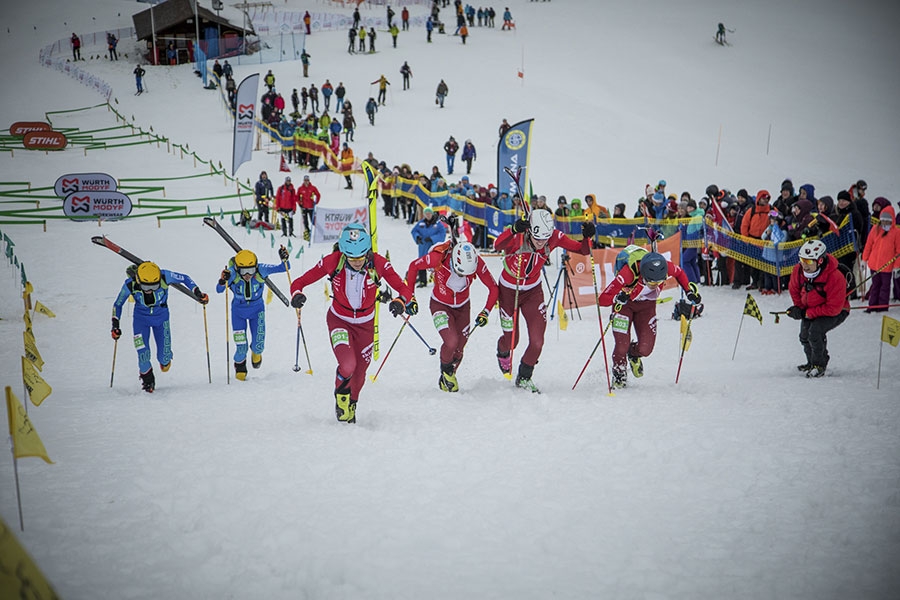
<point>246,278</point>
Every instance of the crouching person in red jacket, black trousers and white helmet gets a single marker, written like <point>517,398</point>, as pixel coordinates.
<point>819,293</point>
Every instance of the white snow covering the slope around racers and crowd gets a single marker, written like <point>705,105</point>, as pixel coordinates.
<point>745,480</point>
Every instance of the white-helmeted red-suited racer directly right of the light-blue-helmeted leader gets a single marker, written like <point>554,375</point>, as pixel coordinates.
<point>455,267</point>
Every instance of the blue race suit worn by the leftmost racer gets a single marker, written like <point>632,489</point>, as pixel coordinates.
<point>151,314</point>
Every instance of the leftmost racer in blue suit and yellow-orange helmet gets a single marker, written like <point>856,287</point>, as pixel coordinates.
<point>149,285</point>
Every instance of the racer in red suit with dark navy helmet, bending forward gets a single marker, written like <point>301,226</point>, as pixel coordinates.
<point>633,294</point>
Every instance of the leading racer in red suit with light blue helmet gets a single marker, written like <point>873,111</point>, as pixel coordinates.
<point>355,272</point>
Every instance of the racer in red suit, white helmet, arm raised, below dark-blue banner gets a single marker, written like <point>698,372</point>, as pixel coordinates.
<point>527,245</point>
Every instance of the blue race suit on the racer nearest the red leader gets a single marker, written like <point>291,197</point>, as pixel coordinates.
<point>248,310</point>
